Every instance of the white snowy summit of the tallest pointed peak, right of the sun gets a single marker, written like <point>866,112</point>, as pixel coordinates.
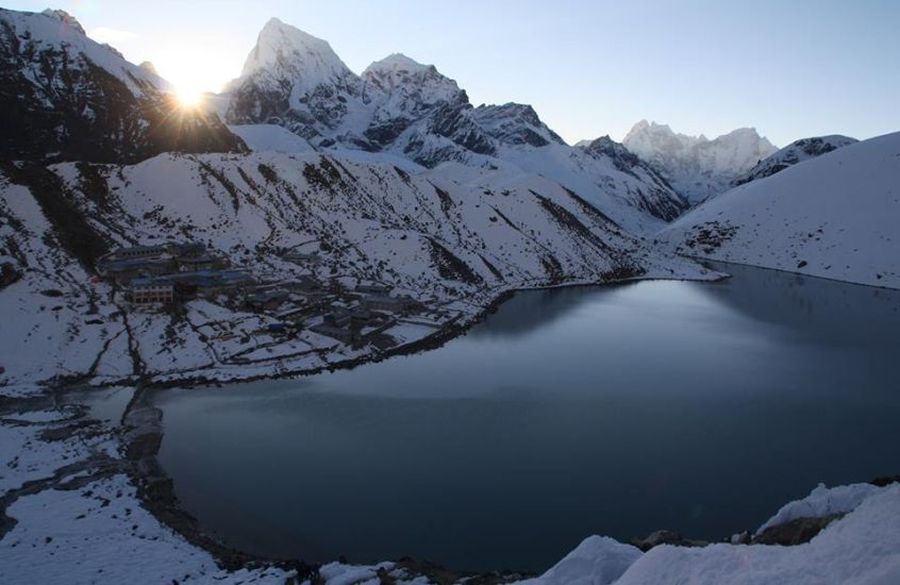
<point>287,50</point>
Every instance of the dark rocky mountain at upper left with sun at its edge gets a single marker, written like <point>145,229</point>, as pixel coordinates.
<point>65,97</point>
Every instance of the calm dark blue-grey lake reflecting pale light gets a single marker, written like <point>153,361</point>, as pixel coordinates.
<point>620,410</point>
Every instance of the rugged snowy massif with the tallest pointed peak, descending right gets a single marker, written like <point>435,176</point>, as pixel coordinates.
<point>402,108</point>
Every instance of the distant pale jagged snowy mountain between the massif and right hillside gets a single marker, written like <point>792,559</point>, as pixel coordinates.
<point>696,166</point>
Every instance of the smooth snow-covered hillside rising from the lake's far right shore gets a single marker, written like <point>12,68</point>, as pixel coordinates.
<point>834,216</point>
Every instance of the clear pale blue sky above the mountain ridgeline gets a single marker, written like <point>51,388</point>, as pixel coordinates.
<point>790,68</point>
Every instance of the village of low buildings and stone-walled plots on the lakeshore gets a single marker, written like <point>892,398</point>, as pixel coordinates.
<point>172,274</point>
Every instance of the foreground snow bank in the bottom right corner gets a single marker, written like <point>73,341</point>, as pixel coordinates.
<point>862,548</point>
